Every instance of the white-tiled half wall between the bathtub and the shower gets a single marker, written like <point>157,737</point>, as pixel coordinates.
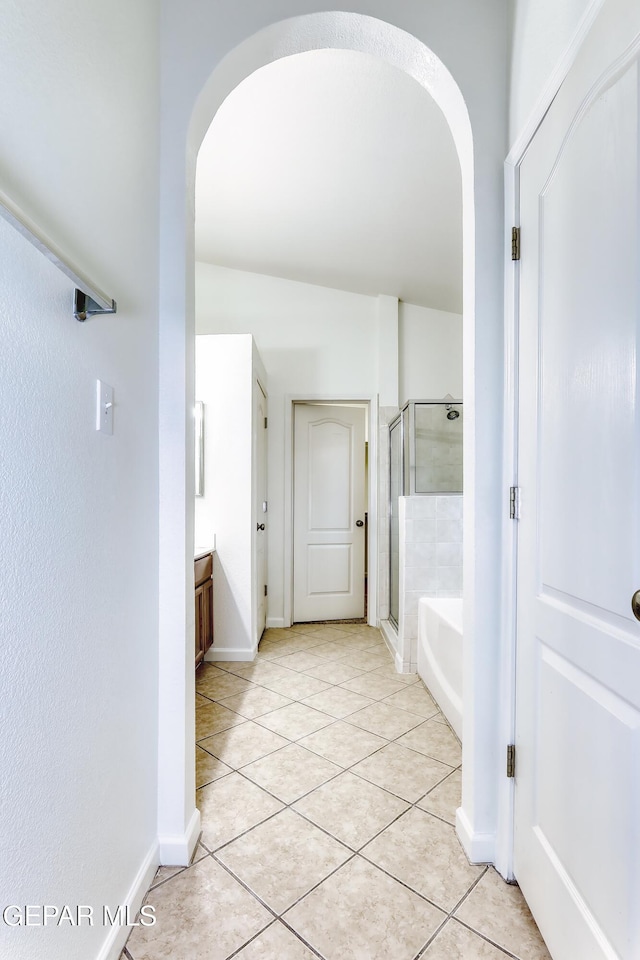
<point>430,555</point>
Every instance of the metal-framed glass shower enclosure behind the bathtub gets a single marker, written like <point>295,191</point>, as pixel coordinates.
<point>425,458</point>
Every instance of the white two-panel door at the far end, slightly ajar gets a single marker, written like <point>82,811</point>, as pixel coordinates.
<point>328,515</point>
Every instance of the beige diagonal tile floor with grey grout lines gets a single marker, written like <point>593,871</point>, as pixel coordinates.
<point>327,785</point>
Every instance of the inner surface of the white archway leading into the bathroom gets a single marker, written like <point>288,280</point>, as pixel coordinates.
<point>178,819</point>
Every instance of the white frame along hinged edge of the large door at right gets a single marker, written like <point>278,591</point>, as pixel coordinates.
<point>508,635</point>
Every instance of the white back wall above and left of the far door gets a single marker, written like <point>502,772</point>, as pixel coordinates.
<point>313,341</point>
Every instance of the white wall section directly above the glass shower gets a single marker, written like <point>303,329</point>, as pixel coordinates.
<point>430,353</point>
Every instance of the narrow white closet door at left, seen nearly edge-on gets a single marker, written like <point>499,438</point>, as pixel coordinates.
<point>260,508</point>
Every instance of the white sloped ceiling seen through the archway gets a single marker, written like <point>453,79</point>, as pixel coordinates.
<point>334,168</point>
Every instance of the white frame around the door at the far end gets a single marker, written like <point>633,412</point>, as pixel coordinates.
<point>371,403</point>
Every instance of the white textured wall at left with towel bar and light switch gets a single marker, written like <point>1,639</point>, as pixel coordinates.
<point>78,510</point>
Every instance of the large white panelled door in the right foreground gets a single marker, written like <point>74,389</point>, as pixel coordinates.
<point>577,825</point>
